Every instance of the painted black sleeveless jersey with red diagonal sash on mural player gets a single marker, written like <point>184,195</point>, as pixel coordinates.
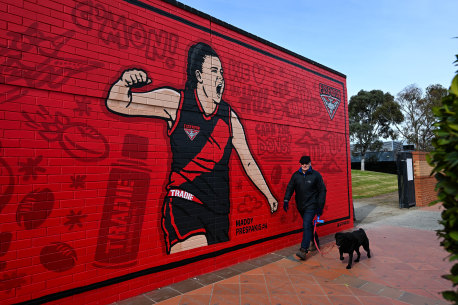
<point>201,147</point>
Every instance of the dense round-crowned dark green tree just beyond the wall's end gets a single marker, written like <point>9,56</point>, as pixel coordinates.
<point>370,114</point>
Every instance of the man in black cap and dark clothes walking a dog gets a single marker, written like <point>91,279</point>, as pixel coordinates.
<point>310,191</point>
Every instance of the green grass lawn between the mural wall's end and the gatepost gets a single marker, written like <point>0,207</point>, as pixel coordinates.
<point>369,184</point>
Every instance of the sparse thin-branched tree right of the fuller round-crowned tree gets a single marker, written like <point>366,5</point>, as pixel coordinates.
<point>418,125</point>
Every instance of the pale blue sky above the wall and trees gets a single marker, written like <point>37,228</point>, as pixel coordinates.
<point>385,45</point>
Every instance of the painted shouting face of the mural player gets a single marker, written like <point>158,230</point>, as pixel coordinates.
<point>211,78</point>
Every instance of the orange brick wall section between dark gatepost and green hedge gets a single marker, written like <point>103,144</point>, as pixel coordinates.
<point>424,183</point>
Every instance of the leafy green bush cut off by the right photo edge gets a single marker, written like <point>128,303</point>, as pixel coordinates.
<point>444,159</point>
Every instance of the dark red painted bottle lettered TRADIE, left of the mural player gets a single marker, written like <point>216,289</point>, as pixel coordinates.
<point>124,208</point>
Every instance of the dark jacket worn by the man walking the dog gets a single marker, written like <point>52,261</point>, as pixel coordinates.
<point>310,190</point>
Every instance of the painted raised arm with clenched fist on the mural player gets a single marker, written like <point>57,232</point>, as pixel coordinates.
<point>161,103</point>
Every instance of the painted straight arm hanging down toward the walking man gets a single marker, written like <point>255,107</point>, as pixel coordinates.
<point>248,162</point>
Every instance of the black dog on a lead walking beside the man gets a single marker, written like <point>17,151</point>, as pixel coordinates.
<point>351,241</point>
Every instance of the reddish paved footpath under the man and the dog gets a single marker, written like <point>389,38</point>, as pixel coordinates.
<point>406,268</point>
